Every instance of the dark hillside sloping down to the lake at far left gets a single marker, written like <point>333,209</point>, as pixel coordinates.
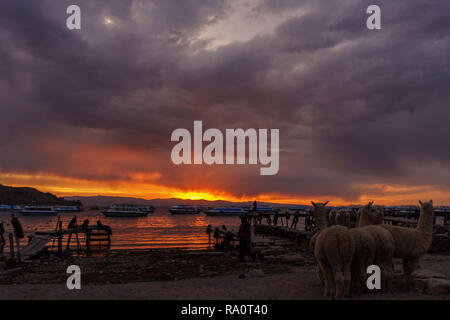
<point>31,196</point>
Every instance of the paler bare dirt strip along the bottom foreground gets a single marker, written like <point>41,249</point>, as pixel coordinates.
<point>300,283</point>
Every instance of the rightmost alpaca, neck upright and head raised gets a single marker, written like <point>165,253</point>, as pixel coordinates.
<point>411,244</point>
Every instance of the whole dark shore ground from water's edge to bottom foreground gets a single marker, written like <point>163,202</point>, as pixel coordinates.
<point>196,275</point>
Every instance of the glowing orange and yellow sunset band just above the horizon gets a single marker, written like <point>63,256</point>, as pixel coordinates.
<point>383,194</point>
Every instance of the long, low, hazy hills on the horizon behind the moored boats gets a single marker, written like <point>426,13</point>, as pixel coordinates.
<point>106,201</point>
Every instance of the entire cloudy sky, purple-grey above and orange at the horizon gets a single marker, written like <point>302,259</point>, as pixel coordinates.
<point>362,114</point>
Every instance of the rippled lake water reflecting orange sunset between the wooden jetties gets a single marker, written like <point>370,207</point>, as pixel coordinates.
<point>158,230</point>
